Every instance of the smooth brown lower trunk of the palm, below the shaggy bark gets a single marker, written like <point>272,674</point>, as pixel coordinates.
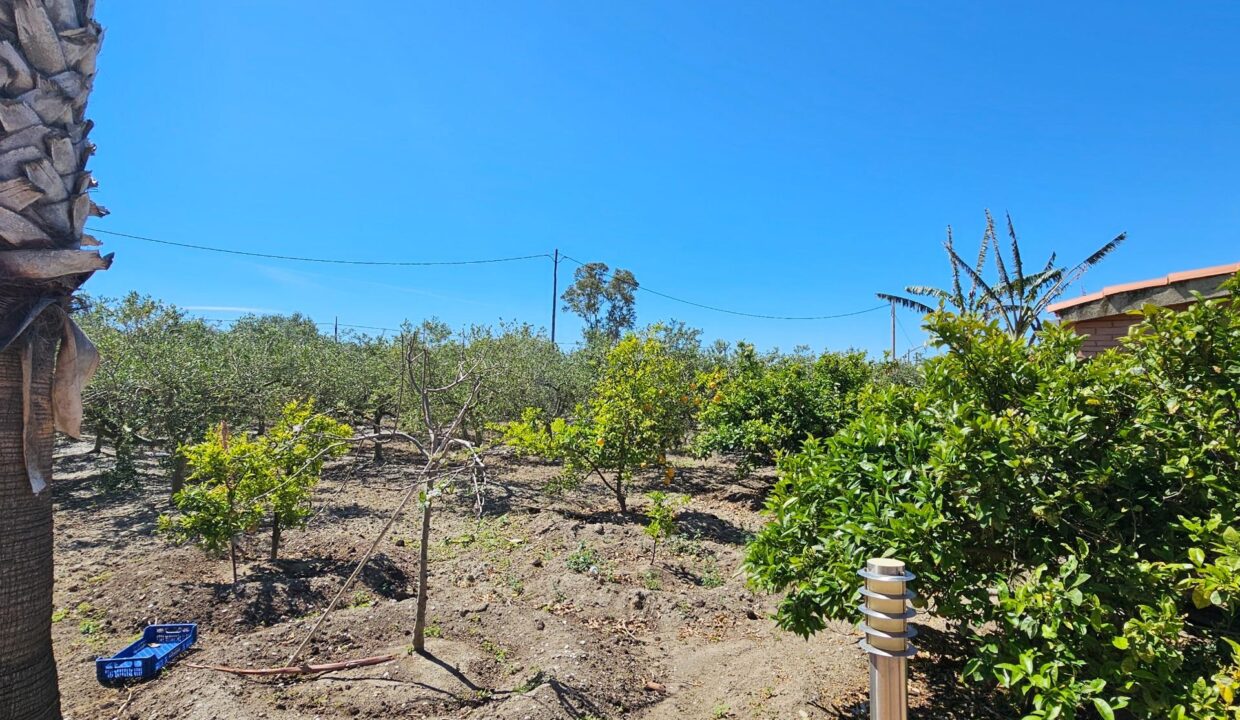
<point>29,688</point>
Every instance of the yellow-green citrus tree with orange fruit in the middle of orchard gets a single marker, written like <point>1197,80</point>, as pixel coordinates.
<point>638,411</point>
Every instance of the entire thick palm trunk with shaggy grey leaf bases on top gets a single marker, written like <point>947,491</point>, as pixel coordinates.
<point>48,65</point>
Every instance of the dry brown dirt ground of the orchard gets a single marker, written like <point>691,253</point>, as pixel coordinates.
<point>546,608</point>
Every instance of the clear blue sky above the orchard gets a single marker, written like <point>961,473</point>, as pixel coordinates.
<point>784,159</point>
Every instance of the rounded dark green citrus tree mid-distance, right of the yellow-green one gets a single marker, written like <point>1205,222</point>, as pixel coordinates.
<point>763,407</point>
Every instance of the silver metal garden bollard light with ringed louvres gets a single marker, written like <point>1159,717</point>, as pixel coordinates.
<point>886,624</point>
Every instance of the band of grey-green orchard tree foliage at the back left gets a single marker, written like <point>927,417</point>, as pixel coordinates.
<point>167,379</point>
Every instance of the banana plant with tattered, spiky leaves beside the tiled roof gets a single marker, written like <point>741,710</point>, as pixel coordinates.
<point>1015,299</point>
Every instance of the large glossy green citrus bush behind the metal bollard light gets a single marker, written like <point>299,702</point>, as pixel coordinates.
<point>1099,499</point>
